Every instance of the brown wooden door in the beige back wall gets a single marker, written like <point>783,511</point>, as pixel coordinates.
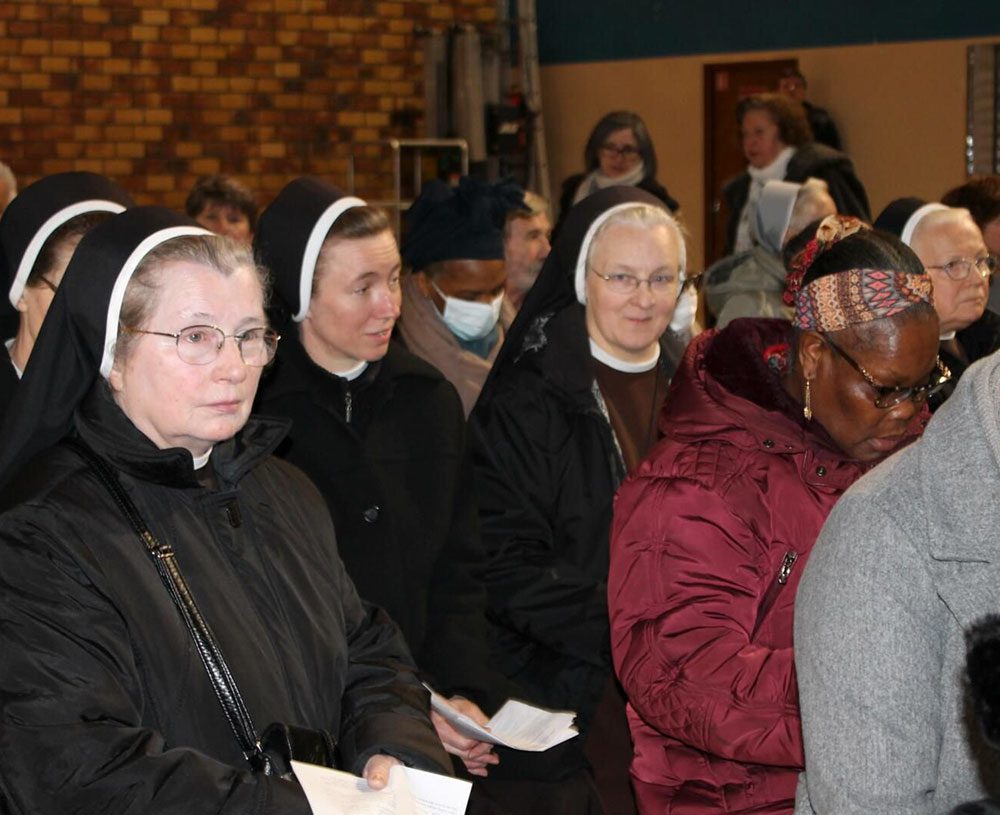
<point>725,84</point>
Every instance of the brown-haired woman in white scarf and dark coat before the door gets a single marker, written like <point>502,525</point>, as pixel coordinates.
<point>779,146</point>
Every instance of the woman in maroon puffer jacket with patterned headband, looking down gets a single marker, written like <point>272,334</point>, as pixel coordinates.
<point>765,426</point>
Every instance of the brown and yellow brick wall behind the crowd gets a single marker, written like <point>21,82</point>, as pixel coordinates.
<point>154,93</point>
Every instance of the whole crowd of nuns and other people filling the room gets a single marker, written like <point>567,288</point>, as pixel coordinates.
<point>264,477</point>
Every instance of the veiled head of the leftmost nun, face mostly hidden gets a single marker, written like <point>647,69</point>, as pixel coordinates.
<point>38,232</point>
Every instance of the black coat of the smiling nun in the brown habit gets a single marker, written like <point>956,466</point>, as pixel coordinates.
<point>547,467</point>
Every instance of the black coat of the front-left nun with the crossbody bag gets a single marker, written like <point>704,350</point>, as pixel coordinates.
<point>104,703</point>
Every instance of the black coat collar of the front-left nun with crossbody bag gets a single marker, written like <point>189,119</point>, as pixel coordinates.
<point>103,425</point>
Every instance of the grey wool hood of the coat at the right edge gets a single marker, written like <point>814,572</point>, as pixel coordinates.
<point>958,462</point>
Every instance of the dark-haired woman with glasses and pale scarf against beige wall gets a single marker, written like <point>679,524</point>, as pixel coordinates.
<point>619,152</point>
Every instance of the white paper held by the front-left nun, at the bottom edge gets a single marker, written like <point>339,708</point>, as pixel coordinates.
<point>409,792</point>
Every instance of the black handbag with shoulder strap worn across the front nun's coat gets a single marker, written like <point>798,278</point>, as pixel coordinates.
<point>279,744</point>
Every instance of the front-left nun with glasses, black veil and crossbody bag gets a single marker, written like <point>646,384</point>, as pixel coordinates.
<point>175,622</point>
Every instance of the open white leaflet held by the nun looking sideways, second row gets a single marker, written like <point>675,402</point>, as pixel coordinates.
<point>517,724</point>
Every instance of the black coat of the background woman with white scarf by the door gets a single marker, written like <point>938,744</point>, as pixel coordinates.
<point>810,161</point>
